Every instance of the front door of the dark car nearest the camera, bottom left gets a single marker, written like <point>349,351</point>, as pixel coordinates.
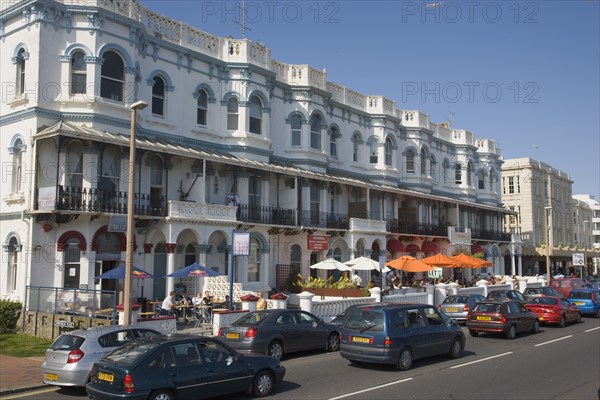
<point>227,373</point>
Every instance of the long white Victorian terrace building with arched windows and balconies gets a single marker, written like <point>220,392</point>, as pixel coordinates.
<point>232,140</point>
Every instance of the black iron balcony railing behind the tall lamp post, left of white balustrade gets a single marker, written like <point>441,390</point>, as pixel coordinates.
<point>97,200</point>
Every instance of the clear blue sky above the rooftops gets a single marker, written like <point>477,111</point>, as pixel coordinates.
<point>523,73</point>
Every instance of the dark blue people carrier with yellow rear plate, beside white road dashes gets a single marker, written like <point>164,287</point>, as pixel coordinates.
<point>397,334</point>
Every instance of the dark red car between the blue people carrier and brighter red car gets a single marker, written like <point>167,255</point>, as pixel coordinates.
<point>509,317</point>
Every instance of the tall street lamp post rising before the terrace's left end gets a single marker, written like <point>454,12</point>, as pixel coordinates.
<point>138,105</point>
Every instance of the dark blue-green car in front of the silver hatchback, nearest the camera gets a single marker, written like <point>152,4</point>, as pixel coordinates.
<point>181,367</point>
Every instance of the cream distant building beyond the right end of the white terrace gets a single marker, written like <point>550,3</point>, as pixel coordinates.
<point>549,220</point>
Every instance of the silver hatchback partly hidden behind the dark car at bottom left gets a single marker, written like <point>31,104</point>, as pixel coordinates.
<point>70,358</point>
